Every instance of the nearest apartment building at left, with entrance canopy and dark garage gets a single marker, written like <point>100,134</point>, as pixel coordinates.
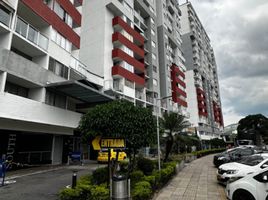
<point>44,87</point>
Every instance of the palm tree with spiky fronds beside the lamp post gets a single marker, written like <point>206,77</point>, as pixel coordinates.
<point>173,123</point>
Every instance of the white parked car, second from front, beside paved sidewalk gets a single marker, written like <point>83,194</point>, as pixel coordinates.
<point>236,170</point>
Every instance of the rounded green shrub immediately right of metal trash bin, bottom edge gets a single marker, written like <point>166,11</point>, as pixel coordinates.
<point>142,191</point>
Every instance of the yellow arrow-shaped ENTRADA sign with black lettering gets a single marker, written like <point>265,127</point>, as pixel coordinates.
<point>111,143</point>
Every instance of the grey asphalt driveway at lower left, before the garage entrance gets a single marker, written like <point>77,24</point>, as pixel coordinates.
<point>43,186</point>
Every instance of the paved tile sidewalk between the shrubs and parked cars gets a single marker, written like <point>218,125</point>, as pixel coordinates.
<point>197,181</point>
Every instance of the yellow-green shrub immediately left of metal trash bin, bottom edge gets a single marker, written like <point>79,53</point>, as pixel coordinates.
<point>99,192</point>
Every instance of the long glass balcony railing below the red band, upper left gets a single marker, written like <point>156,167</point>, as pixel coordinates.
<point>31,34</point>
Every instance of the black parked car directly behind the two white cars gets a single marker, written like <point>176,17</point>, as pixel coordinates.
<point>235,154</point>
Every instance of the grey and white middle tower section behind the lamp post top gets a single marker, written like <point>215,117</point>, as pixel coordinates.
<point>171,60</point>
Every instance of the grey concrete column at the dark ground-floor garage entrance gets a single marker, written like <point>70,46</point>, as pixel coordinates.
<point>57,148</point>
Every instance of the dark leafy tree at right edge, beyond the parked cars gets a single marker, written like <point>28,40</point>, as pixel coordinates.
<point>253,127</point>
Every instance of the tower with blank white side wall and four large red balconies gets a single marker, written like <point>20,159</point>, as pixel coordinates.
<point>120,45</point>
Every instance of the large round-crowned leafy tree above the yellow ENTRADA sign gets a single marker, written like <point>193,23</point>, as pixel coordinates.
<point>121,119</point>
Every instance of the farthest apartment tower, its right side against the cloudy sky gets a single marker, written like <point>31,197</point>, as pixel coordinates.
<point>204,103</point>
